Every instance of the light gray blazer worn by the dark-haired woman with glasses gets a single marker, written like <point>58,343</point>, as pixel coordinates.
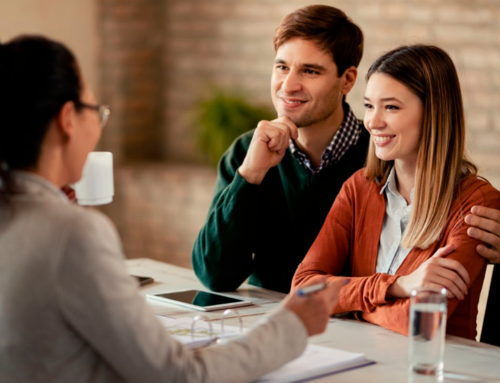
<point>70,313</point>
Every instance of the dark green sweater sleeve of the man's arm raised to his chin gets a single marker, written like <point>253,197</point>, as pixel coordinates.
<point>223,251</point>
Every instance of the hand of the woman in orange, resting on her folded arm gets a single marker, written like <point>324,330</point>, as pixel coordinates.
<point>434,274</point>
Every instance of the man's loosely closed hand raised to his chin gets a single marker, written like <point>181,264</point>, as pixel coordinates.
<point>267,149</point>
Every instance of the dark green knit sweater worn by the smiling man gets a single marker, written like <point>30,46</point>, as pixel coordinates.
<point>264,231</point>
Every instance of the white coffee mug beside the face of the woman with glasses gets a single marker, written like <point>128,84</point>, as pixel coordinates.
<point>96,186</point>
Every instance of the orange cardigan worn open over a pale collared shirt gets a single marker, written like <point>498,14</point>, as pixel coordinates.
<point>348,243</point>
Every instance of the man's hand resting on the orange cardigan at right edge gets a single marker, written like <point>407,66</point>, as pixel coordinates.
<point>486,222</point>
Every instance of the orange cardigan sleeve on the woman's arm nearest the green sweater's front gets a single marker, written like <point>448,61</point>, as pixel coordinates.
<point>330,253</point>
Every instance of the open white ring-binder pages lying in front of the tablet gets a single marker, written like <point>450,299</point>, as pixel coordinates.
<point>180,329</point>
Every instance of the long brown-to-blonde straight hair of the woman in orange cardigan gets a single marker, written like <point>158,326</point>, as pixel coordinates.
<point>429,72</point>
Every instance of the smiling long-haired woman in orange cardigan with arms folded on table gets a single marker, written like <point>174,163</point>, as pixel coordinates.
<point>398,224</point>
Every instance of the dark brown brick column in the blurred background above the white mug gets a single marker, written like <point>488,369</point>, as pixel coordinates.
<point>131,77</point>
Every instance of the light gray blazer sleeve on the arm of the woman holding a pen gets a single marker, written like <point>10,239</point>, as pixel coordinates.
<point>100,302</point>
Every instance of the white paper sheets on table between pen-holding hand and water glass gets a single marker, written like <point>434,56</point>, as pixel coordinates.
<point>316,361</point>
